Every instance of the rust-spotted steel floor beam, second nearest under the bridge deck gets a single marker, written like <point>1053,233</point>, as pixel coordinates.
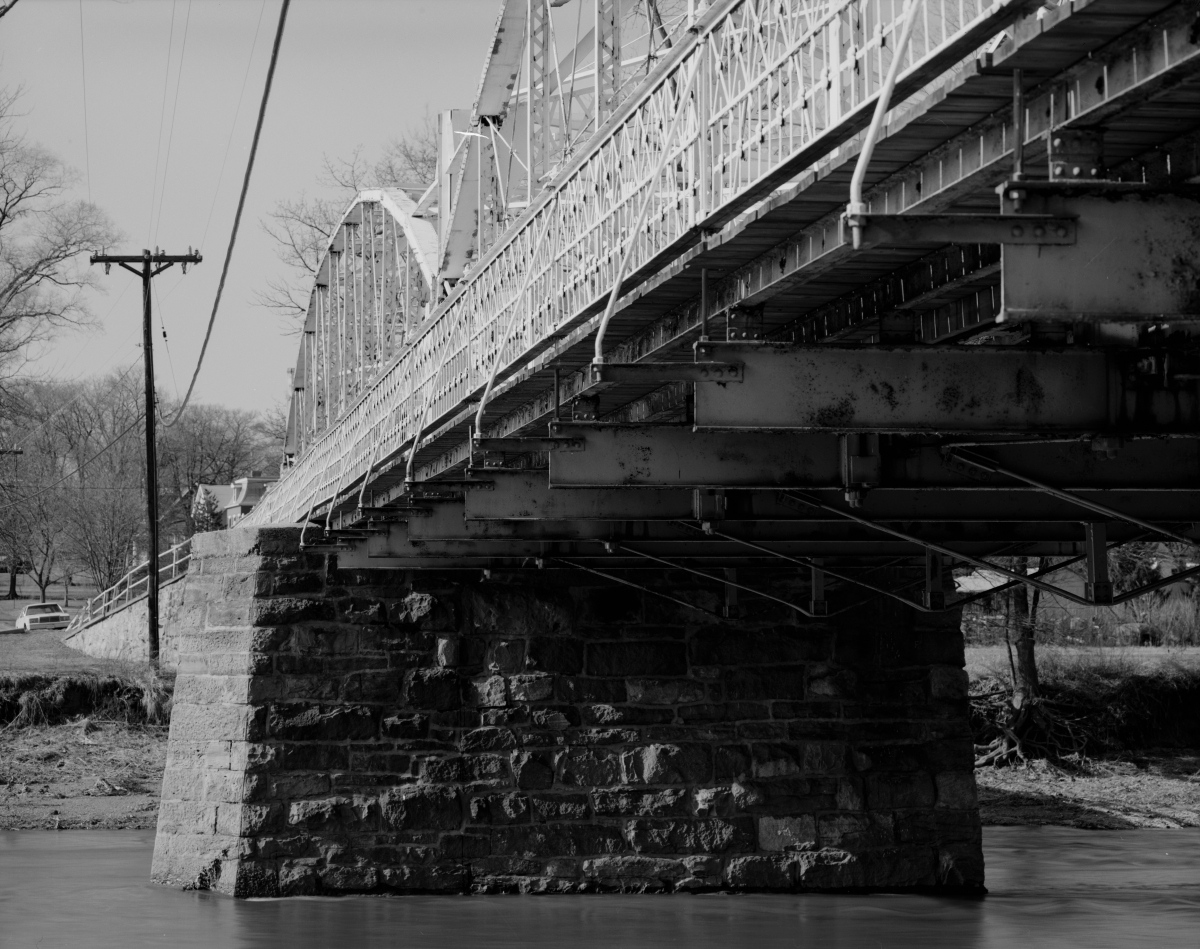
<point>968,389</point>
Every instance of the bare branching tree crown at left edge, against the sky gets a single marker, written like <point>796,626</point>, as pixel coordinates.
<point>43,236</point>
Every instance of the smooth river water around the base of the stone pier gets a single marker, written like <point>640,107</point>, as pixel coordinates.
<point>1049,887</point>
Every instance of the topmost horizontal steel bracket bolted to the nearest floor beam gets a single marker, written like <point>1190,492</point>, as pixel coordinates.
<point>903,231</point>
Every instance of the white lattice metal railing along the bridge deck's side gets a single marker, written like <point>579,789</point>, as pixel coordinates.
<point>779,86</point>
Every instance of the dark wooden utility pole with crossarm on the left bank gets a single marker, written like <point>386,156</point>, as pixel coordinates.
<point>151,266</point>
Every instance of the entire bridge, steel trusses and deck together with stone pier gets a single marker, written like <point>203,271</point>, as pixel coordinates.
<point>631,463</point>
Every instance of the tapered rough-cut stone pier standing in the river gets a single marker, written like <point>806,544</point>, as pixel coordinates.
<point>343,731</point>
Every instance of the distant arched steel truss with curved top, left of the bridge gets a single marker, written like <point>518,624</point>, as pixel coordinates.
<point>375,286</point>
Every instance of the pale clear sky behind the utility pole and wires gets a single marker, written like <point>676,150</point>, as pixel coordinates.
<point>161,100</point>
